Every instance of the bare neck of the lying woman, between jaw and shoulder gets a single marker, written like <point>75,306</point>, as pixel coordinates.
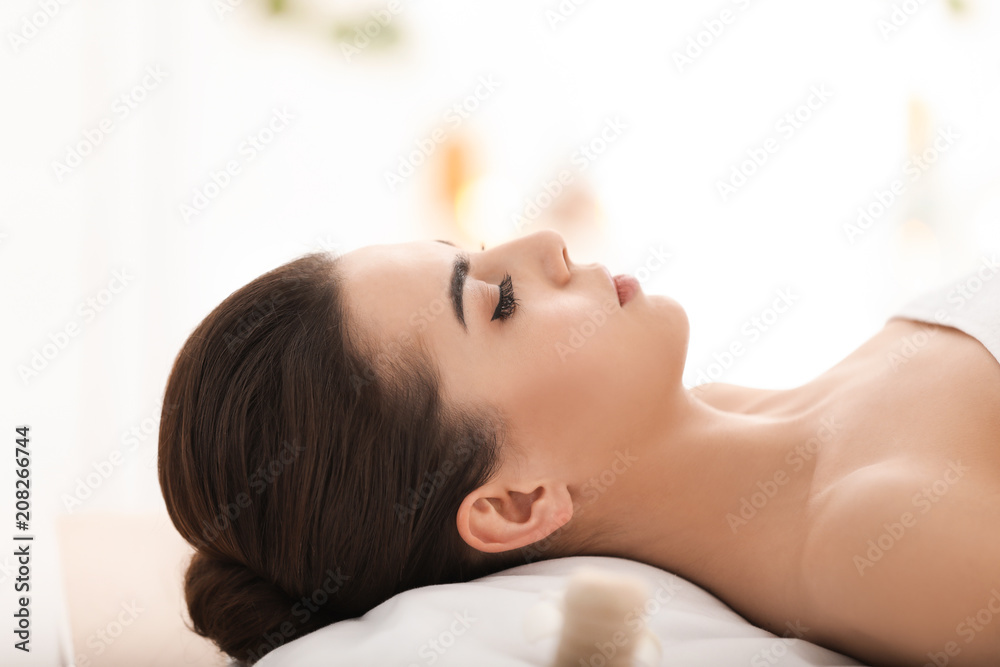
<point>715,495</point>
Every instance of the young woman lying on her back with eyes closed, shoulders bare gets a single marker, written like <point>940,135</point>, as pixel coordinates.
<point>411,414</point>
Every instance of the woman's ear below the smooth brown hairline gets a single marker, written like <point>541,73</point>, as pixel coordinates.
<point>501,516</point>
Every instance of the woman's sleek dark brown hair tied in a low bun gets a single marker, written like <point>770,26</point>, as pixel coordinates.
<point>312,486</point>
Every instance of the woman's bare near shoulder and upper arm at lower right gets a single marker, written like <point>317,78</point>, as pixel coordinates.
<point>903,562</point>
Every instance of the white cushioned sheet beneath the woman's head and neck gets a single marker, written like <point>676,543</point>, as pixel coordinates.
<point>512,618</point>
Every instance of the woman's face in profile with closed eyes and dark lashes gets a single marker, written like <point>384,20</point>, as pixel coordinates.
<point>577,377</point>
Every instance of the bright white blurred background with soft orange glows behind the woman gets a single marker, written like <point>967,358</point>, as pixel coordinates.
<point>789,172</point>
